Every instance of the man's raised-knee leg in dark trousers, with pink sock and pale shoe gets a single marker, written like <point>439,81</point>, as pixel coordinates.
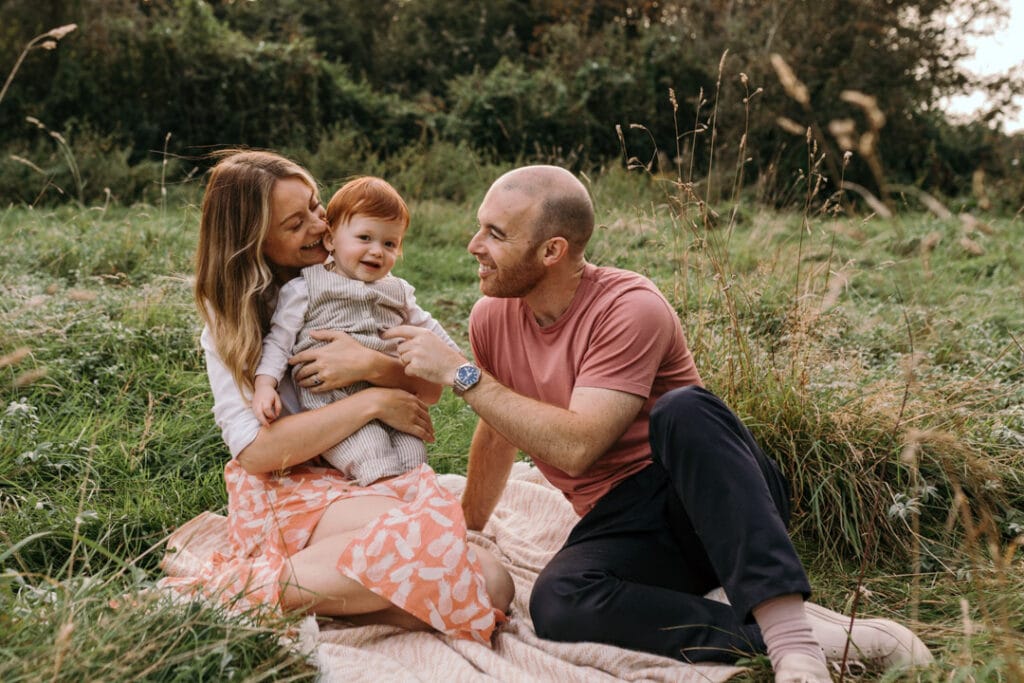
<point>735,502</point>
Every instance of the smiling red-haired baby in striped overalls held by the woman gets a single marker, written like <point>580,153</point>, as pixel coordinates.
<point>356,293</point>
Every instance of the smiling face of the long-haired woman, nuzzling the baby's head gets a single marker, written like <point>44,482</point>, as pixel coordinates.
<point>295,236</point>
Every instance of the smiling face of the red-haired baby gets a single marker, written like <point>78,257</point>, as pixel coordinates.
<point>366,249</point>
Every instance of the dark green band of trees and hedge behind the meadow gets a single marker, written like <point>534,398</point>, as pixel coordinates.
<point>510,80</point>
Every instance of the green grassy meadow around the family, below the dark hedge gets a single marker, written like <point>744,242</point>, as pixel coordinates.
<point>880,361</point>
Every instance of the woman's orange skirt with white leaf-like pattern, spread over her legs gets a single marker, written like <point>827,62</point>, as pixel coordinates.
<point>415,556</point>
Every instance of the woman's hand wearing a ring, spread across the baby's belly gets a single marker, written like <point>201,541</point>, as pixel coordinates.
<point>338,364</point>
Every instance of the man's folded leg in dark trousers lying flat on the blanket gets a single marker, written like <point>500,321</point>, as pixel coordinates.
<point>623,579</point>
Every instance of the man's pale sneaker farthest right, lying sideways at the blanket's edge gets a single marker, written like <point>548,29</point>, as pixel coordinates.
<point>877,644</point>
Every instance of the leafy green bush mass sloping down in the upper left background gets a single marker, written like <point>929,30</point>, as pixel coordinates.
<point>178,71</point>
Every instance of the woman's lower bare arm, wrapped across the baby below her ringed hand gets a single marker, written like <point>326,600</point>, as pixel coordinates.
<point>295,439</point>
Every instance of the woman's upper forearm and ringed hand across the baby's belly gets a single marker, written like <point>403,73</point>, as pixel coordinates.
<point>344,362</point>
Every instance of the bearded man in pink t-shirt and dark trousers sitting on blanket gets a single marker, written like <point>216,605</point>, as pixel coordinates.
<point>586,370</point>
